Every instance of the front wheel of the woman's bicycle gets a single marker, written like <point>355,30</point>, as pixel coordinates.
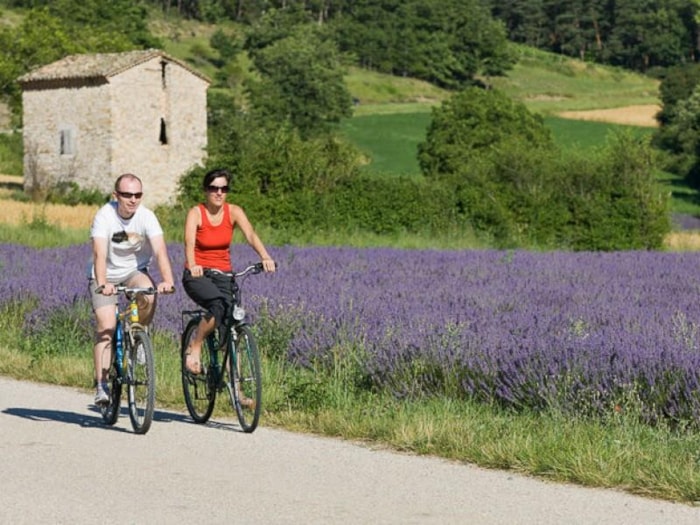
<point>245,382</point>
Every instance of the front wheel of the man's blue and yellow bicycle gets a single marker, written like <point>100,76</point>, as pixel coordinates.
<point>141,381</point>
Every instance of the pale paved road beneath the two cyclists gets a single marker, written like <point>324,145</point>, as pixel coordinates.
<point>59,464</point>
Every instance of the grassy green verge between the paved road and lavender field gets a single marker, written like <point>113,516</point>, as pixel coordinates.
<point>618,452</point>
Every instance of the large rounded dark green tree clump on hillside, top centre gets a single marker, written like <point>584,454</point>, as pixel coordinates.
<point>447,42</point>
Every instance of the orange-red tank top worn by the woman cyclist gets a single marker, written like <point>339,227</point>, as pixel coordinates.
<point>212,247</point>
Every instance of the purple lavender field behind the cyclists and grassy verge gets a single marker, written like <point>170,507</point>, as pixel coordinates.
<point>590,333</point>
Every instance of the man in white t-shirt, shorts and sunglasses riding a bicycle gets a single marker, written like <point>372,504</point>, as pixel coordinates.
<point>125,237</point>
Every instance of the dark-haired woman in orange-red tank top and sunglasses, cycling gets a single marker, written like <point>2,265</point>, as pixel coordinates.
<point>209,230</point>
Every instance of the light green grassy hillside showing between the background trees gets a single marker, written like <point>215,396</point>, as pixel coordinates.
<point>546,83</point>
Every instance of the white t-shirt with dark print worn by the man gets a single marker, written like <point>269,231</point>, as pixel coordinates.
<point>135,253</point>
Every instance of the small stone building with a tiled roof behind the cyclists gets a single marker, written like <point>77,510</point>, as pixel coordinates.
<point>89,118</point>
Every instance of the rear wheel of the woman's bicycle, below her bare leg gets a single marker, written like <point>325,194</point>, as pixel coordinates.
<point>199,390</point>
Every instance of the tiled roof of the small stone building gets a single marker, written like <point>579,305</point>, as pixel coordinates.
<point>100,65</point>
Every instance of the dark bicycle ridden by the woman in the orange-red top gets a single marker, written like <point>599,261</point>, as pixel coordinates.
<point>237,369</point>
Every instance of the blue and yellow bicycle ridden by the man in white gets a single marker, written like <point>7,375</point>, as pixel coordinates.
<point>132,365</point>
